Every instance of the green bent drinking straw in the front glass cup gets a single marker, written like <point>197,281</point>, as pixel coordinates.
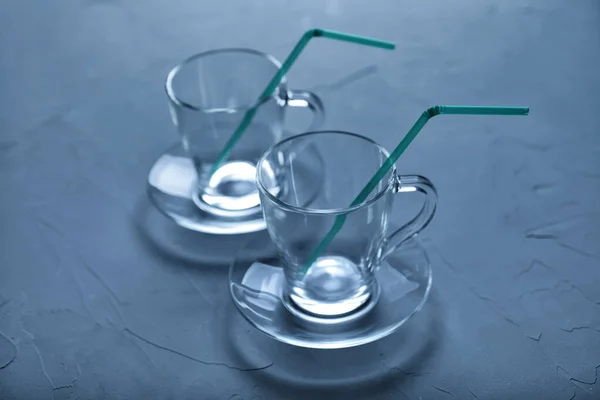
<point>391,160</point>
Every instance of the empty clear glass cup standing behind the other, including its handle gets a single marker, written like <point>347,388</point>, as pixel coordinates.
<point>209,93</point>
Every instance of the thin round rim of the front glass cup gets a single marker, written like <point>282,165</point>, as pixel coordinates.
<point>323,211</point>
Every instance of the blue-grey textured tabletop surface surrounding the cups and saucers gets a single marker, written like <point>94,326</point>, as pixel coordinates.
<point>101,297</point>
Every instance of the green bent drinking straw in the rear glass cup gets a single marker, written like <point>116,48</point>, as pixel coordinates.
<point>287,64</point>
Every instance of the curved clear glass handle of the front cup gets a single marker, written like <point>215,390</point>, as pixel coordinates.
<point>406,184</point>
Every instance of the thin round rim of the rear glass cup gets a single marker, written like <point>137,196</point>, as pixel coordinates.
<point>240,50</point>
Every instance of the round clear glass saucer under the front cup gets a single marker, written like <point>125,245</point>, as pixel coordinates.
<point>257,287</point>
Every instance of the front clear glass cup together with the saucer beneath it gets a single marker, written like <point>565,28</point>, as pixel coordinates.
<point>348,294</point>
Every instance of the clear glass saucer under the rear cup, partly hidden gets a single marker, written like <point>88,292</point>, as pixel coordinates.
<point>170,186</point>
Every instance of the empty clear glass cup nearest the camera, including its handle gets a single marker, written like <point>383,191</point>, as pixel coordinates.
<point>341,280</point>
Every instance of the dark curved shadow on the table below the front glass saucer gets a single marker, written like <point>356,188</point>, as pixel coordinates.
<point>356,372</point>
